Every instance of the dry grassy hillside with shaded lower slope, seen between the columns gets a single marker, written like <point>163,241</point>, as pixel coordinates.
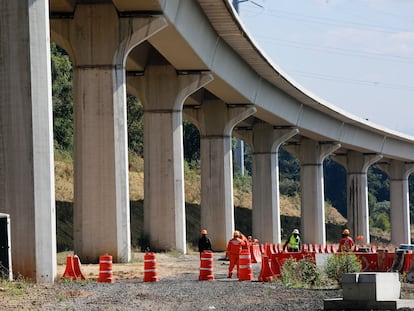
<point>290,206</point>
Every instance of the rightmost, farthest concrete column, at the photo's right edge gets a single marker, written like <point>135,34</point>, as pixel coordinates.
<point>398,173</point>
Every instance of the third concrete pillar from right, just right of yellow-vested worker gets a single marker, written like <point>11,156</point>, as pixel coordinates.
<point>311,155</point>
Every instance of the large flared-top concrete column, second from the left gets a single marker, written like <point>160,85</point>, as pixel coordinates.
<point>98,42</point>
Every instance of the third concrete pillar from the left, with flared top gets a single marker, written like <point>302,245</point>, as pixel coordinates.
<point>162,93</point>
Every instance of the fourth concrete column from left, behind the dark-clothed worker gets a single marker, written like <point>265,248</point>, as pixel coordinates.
<point>215,121</point>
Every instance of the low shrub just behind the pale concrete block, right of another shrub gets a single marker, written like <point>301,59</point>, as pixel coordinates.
<point>341,263</point>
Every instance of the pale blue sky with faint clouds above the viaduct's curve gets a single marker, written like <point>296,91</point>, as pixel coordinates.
<point>357,55</point>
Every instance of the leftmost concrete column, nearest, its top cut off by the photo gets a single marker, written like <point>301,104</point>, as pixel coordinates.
<point>27,190</point>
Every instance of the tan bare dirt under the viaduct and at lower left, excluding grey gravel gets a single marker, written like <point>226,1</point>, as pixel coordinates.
<point>25,295</point>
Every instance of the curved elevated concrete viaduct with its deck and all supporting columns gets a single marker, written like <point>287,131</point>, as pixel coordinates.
<point>182,58</point>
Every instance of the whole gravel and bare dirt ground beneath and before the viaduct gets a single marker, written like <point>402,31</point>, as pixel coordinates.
<point>178,288</point>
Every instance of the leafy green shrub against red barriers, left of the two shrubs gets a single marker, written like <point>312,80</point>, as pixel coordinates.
<point>302,273</point>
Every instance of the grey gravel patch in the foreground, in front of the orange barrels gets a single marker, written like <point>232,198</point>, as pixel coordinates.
<point>185,292</point>
